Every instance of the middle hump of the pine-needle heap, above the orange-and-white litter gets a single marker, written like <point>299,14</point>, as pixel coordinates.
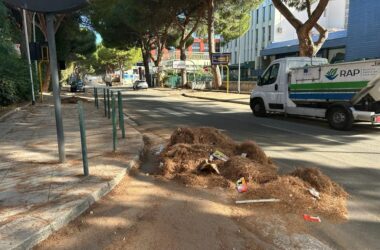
<point>238,167</point>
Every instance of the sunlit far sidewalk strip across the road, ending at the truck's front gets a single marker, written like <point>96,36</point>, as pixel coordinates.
<point>219,96</point>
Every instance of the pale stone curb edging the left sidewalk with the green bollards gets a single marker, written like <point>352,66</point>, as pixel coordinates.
<point>80,207</point>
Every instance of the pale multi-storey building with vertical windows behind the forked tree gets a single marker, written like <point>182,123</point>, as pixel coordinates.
<point>268,26</point>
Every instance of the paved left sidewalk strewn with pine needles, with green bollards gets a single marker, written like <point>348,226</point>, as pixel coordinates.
<point>37,194</point>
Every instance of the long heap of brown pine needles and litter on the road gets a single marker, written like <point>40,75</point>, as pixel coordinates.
<point>188,153</point>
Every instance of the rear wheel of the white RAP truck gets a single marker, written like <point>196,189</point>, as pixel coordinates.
<point>340,117</point>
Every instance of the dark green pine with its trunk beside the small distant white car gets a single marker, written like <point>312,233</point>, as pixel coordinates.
<point>143,25</point>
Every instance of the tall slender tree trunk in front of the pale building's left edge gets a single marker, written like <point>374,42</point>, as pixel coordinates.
<point>217,81</point>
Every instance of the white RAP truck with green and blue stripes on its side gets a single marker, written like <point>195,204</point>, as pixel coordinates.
<point>341,93</point>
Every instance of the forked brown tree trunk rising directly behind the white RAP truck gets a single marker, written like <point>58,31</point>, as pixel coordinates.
<point>307,46</point>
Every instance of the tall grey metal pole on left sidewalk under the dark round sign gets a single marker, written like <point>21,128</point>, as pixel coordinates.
<point>55,82</point>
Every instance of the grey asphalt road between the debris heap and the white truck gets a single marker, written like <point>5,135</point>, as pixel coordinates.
<point>350,158</point>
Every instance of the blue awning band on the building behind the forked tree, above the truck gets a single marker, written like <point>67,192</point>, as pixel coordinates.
<point>335,40</point>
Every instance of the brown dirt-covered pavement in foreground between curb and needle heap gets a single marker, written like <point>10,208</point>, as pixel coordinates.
<point>148,211</point>
